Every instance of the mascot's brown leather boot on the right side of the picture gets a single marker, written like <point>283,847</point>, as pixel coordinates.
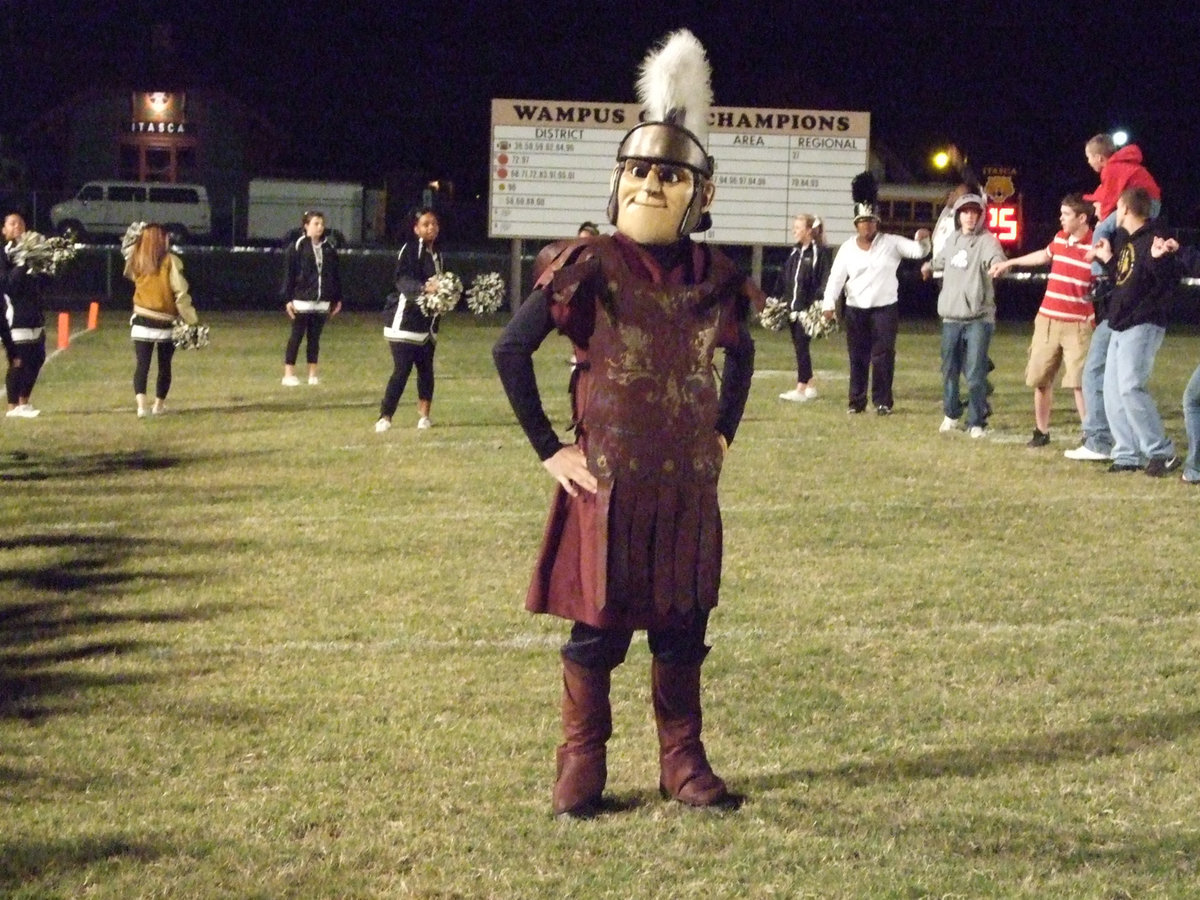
<point>686,773</point>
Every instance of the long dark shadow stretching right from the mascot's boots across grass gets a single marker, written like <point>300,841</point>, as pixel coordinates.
<point>1120,737</point>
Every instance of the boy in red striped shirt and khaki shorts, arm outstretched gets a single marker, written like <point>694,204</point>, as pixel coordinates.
<point>1063,331</point>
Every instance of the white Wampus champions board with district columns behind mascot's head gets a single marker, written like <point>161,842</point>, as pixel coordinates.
<point>551,164</point>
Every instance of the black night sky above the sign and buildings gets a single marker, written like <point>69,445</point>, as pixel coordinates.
<point>371,88</point>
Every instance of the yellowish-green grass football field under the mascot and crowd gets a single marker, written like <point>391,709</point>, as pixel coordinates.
<point>254,650</point>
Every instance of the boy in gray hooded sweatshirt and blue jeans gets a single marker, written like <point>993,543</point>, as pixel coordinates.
<point>968,307</point>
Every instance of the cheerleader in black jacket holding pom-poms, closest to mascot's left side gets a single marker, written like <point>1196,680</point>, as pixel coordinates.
<point>412,334</point>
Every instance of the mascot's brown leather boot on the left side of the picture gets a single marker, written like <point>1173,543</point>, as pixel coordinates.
<point>587,725</point>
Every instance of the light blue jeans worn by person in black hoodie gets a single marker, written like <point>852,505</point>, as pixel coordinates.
<point>1137,428</point>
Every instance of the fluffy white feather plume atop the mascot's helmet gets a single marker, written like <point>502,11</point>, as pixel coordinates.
<point>676,85</point>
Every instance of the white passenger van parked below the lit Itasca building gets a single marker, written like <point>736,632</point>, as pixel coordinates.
<point>109,207</point>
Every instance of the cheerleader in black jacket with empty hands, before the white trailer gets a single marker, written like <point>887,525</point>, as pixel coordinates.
<point>313,292</point>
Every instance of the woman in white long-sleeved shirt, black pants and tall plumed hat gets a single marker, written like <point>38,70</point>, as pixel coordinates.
<point>866,268</point>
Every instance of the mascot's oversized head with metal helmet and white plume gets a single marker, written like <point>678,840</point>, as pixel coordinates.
<point>663,184</point>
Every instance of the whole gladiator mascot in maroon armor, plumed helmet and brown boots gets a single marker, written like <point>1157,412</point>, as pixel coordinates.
<point>634,538</point>
